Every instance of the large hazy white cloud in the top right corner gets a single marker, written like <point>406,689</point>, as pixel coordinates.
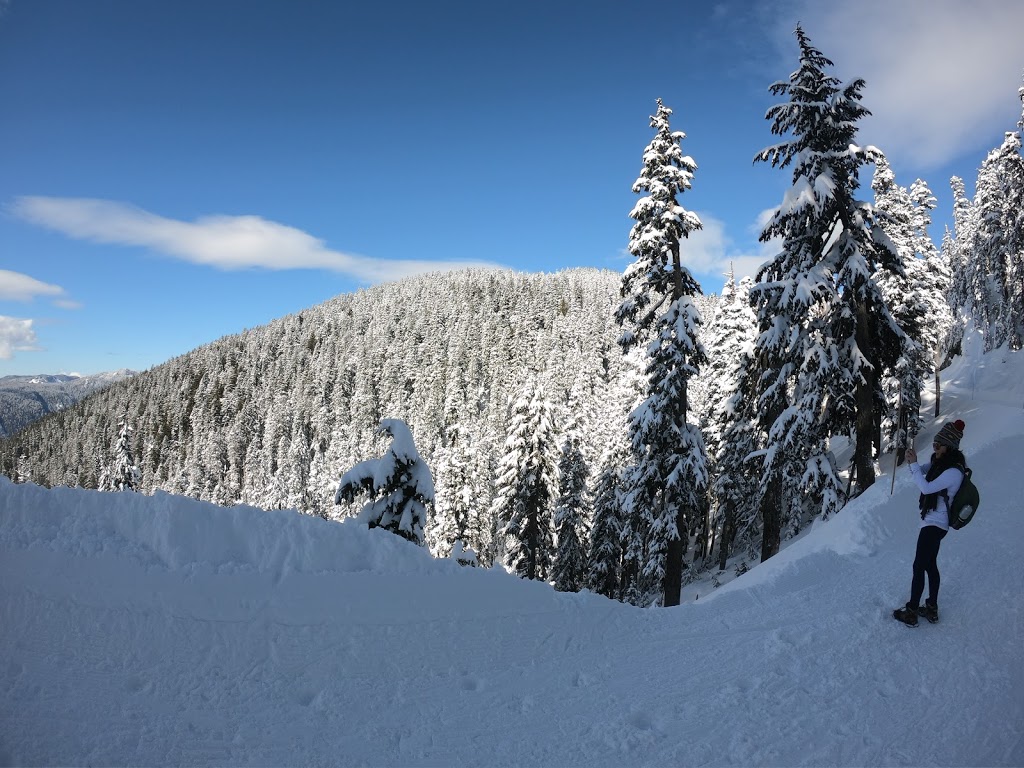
<point>942,75</point>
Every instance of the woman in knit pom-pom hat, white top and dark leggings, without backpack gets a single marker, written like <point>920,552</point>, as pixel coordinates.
<point>938,481</point>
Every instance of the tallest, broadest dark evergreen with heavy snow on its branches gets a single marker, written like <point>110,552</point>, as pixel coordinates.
<point>826,333</point>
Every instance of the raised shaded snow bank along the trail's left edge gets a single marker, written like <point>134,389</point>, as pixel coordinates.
<point>176,533</point>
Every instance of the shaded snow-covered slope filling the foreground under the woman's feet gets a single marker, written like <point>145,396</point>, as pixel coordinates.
<point>165,631</point>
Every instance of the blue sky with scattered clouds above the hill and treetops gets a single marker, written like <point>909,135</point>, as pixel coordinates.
<point>172,173</point>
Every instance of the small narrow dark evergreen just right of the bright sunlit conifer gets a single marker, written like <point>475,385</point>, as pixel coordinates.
<point>572,515</point>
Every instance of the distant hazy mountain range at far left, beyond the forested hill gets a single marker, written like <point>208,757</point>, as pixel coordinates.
<point>26,399</point>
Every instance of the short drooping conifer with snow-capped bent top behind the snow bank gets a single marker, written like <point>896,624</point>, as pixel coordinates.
<point>399,486</point>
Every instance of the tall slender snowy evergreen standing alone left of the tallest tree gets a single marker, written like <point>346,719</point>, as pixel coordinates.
<point>669,475</point>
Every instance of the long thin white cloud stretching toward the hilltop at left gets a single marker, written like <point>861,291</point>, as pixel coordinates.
<point>223,242</point>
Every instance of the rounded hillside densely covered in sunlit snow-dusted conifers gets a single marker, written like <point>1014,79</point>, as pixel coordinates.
<point>272,417</point>
